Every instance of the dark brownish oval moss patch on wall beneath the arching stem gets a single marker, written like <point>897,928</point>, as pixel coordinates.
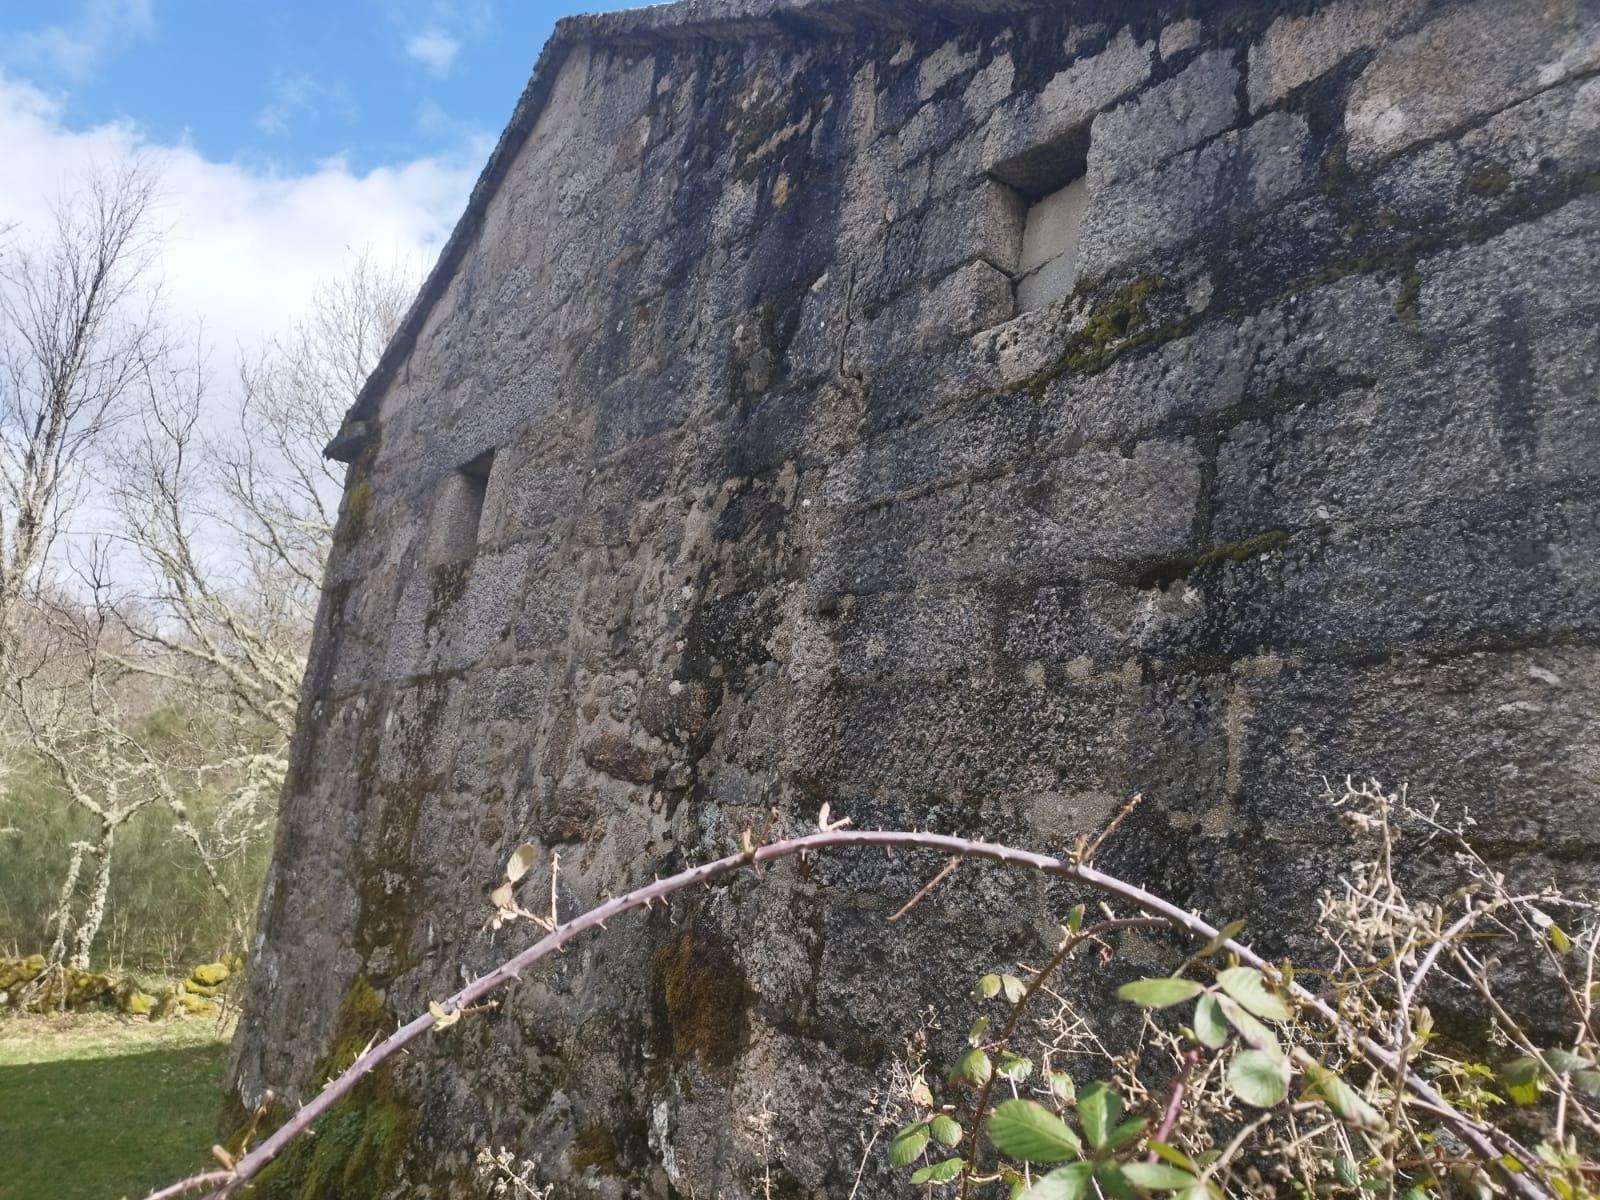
<point>703,999</point>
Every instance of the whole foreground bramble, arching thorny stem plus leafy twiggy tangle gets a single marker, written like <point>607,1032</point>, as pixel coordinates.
<point>1274,1087</point>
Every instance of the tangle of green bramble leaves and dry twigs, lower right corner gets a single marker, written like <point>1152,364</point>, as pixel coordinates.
<point>1236,1086</point>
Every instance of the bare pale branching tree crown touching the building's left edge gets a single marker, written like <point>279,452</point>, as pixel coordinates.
<point>234,527</point>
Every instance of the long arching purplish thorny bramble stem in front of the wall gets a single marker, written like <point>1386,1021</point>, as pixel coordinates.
<point>1476,1137</point>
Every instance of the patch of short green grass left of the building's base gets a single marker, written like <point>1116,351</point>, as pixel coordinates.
<point>95,1108</point>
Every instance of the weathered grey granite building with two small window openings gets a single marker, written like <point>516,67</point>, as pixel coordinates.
<point>970,414</point>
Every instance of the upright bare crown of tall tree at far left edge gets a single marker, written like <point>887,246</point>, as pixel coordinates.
<point>78,332</point>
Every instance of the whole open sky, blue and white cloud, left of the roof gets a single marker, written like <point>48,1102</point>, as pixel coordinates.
<point>289,137</point>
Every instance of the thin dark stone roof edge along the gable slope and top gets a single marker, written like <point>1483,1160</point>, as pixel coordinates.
<point>652,26</point>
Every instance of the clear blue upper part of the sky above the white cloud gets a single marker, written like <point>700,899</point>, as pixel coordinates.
<point>286,84</point>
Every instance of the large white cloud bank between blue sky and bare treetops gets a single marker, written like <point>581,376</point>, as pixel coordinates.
<point>246,247</point>
